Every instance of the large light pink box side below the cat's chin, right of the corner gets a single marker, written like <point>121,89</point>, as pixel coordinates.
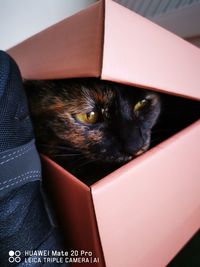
<point>156,198</point>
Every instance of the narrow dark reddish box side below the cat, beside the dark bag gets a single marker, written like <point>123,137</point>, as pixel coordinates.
<point>74,208</point>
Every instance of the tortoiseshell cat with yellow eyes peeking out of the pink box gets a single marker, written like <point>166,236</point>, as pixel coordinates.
<point>90,126</point>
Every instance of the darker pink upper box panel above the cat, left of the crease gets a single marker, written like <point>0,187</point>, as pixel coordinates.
<point>70,48</point>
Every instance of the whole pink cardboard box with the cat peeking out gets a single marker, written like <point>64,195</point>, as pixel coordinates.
<point>143,213</point>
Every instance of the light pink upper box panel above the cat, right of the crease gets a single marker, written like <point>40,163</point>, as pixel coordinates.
<point>137,51</point>
